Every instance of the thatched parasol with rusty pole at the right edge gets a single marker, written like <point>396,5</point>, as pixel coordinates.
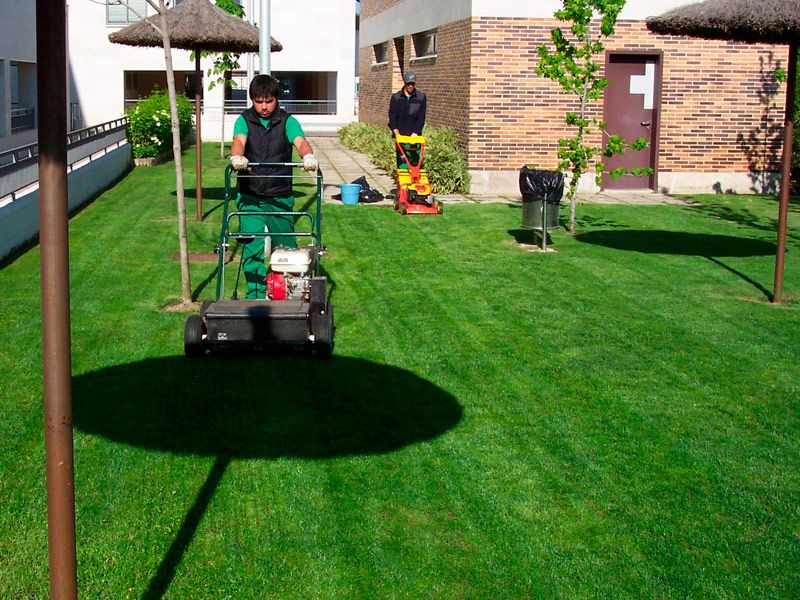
<point>753,21</point>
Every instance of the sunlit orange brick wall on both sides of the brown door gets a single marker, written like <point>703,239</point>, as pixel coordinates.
<point>712,97</point>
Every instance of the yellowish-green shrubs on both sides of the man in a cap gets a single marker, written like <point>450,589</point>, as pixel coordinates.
<point>446,165</point>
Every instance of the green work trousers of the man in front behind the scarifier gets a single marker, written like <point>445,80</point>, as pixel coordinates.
<point>253,260</point>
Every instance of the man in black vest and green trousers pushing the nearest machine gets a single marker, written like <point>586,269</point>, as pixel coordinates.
<point>266,133</point>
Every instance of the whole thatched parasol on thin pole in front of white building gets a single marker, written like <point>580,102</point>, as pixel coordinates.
<point>196,25</point>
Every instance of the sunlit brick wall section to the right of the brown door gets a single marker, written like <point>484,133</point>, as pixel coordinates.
<point>715,96</point>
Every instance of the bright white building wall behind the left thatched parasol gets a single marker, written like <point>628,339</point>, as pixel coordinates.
<point>317,35</point>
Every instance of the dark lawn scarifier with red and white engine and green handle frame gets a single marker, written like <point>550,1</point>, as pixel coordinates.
<point>296,312</point>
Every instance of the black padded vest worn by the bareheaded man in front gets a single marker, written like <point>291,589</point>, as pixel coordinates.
<point>267,144</point>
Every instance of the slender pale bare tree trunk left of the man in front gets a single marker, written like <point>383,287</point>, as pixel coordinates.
<point>186,285</point>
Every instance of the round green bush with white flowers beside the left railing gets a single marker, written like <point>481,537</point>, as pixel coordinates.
<point>149,127</point>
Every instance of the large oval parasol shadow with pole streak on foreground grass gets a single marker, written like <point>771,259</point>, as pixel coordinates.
<point>252,407</point>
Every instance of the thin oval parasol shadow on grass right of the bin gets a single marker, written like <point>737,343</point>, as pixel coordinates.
<point>706,245</point>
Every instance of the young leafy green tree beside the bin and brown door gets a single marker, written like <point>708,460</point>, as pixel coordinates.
<point>573,63</point>
